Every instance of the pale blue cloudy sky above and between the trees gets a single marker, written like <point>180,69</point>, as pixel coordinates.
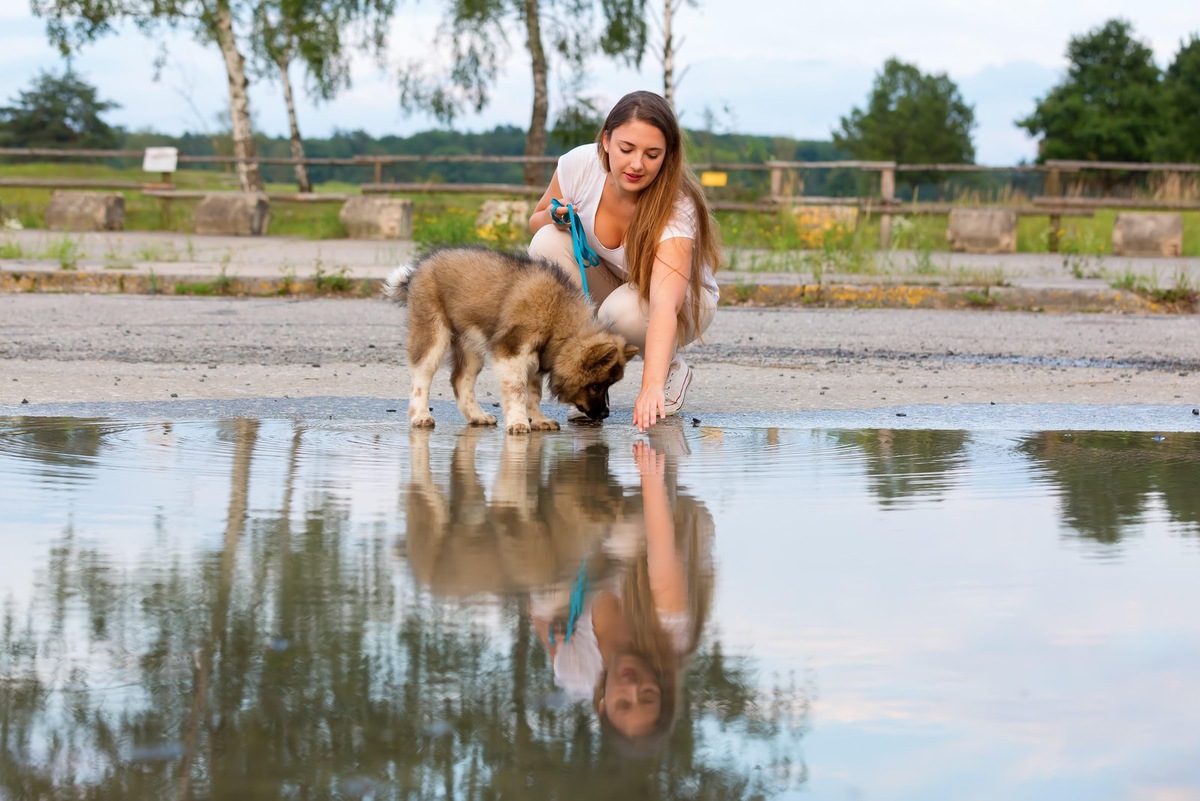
<point>776,68</point>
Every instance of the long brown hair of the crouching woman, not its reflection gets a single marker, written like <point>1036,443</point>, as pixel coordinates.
<point>657,203</point>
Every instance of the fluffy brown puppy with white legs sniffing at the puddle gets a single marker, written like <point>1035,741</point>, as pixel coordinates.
<point>526,314</point>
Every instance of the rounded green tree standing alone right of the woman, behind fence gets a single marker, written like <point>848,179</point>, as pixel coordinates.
<point>911,118</point>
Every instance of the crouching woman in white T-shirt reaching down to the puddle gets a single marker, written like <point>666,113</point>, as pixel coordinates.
<point>646,216</point>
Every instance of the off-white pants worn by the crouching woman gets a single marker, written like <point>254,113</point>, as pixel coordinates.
<point>617,303</point>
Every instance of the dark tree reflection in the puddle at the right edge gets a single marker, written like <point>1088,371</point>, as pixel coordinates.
<point>1108,479</point>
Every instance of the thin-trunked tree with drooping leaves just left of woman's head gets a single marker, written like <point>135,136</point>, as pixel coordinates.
<point>476,34</point>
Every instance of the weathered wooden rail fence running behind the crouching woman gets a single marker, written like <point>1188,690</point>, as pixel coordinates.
<point>784,178</point>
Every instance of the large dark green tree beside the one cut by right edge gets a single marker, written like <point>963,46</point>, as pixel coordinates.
<point>1108,107</point>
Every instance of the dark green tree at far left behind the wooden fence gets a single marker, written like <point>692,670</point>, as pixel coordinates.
<point>58,112</point>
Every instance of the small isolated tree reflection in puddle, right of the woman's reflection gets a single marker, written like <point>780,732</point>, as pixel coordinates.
<point>908,463</point>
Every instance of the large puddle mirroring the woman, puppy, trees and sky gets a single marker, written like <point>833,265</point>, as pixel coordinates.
<point>279,609</point>
